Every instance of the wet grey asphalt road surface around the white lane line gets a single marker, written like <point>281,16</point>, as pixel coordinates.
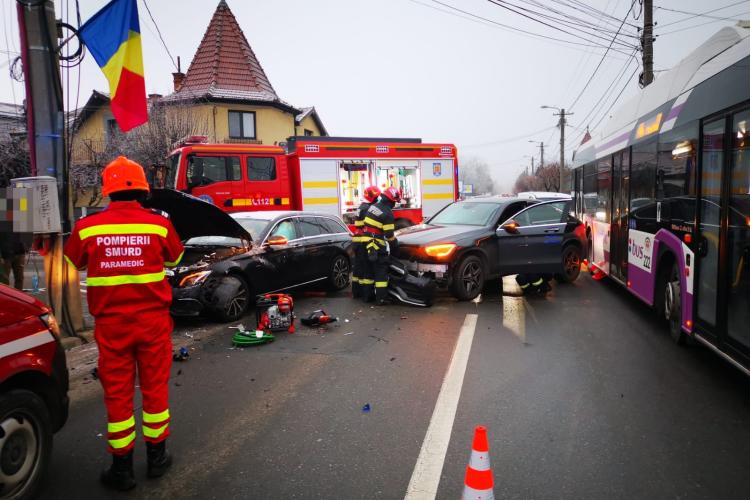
<point>582,392</point>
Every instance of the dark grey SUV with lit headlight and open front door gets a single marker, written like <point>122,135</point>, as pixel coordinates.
<point>472,241</point>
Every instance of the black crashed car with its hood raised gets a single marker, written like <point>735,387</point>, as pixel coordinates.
<point>229,259</point>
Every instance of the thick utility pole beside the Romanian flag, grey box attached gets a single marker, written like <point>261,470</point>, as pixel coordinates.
<point>46,137</point>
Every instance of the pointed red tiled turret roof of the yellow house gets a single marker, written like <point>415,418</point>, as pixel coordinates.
<point>225,65</point>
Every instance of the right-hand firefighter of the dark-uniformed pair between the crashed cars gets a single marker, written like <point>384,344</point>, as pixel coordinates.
<point>380,226</point>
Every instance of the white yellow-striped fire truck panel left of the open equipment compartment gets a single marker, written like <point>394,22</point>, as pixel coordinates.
<point>320,186</point>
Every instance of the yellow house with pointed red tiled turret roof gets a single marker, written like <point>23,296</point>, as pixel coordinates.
<point>225,94</point>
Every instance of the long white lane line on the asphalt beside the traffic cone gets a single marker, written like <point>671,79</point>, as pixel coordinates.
<point>426,476</point>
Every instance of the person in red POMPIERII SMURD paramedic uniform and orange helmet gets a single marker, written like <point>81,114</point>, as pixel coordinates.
<point>125,249</point>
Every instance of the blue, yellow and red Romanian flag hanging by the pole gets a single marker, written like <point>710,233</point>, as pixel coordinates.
<point>113,36</point>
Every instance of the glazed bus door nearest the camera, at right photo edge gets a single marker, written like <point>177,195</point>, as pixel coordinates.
<point>722,293</point>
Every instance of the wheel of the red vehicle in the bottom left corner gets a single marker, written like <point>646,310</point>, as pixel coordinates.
<point>25,443</point>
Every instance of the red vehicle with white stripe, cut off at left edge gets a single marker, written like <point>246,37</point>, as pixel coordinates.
<point>33,391</point>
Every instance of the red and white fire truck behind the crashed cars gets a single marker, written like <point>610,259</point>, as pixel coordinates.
<point>325,174</point>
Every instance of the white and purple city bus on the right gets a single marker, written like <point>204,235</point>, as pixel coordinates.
<point>664,191</point>
